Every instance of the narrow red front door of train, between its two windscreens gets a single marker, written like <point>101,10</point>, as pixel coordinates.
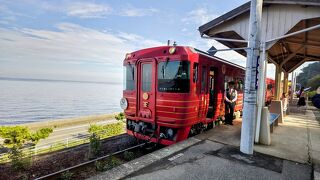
<point>146,90</point>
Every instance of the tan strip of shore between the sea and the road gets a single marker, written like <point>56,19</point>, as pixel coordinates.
<point>67,122</point>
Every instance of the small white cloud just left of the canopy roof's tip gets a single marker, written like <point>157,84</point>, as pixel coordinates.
<point>199,16</point>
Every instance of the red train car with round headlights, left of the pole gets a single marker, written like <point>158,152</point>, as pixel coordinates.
<point>172,92</point>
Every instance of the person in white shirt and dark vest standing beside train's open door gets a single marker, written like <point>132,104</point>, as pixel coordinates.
<point>230,102</point>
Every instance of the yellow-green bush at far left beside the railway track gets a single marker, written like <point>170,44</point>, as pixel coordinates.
<point>16,137</point>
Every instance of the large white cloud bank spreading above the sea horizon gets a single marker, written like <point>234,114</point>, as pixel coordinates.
<point>65,52</point>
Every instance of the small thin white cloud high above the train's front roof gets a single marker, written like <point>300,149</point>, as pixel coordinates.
<point>131,11</point>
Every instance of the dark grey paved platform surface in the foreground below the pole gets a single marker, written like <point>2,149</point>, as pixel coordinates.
<point>211,160</point>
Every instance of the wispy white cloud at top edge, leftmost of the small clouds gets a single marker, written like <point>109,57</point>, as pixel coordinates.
<point>88,10</point>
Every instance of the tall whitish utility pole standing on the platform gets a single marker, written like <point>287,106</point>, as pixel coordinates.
<point>250,92</point>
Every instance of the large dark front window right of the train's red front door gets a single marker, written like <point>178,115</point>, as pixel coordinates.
<point>174,76</point>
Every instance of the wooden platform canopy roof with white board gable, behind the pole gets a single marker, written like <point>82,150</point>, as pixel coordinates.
<point>279,17</point>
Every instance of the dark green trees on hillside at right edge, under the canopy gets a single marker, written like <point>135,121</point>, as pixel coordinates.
<point>308,72</point>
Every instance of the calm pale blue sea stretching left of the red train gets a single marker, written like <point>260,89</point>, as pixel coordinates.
<point>24,101</point>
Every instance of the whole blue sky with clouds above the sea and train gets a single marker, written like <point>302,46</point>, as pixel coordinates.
<point>87,40</point>
